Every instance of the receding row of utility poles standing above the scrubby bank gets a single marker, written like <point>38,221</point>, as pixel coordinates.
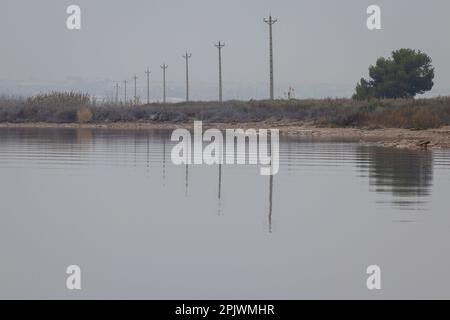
<point>220,45</point>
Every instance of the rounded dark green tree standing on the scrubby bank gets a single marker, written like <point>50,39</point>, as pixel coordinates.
<point>404,75</point>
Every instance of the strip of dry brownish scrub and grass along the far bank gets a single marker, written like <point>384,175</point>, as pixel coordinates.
<point>76,107</point>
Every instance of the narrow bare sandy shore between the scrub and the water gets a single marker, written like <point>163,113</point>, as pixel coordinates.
<point>386,137</point>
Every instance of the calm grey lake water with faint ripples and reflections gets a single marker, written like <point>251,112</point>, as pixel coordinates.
<point>112,202</point>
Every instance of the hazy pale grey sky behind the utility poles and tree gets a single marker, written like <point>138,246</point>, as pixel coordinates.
<point>316,41</point>
